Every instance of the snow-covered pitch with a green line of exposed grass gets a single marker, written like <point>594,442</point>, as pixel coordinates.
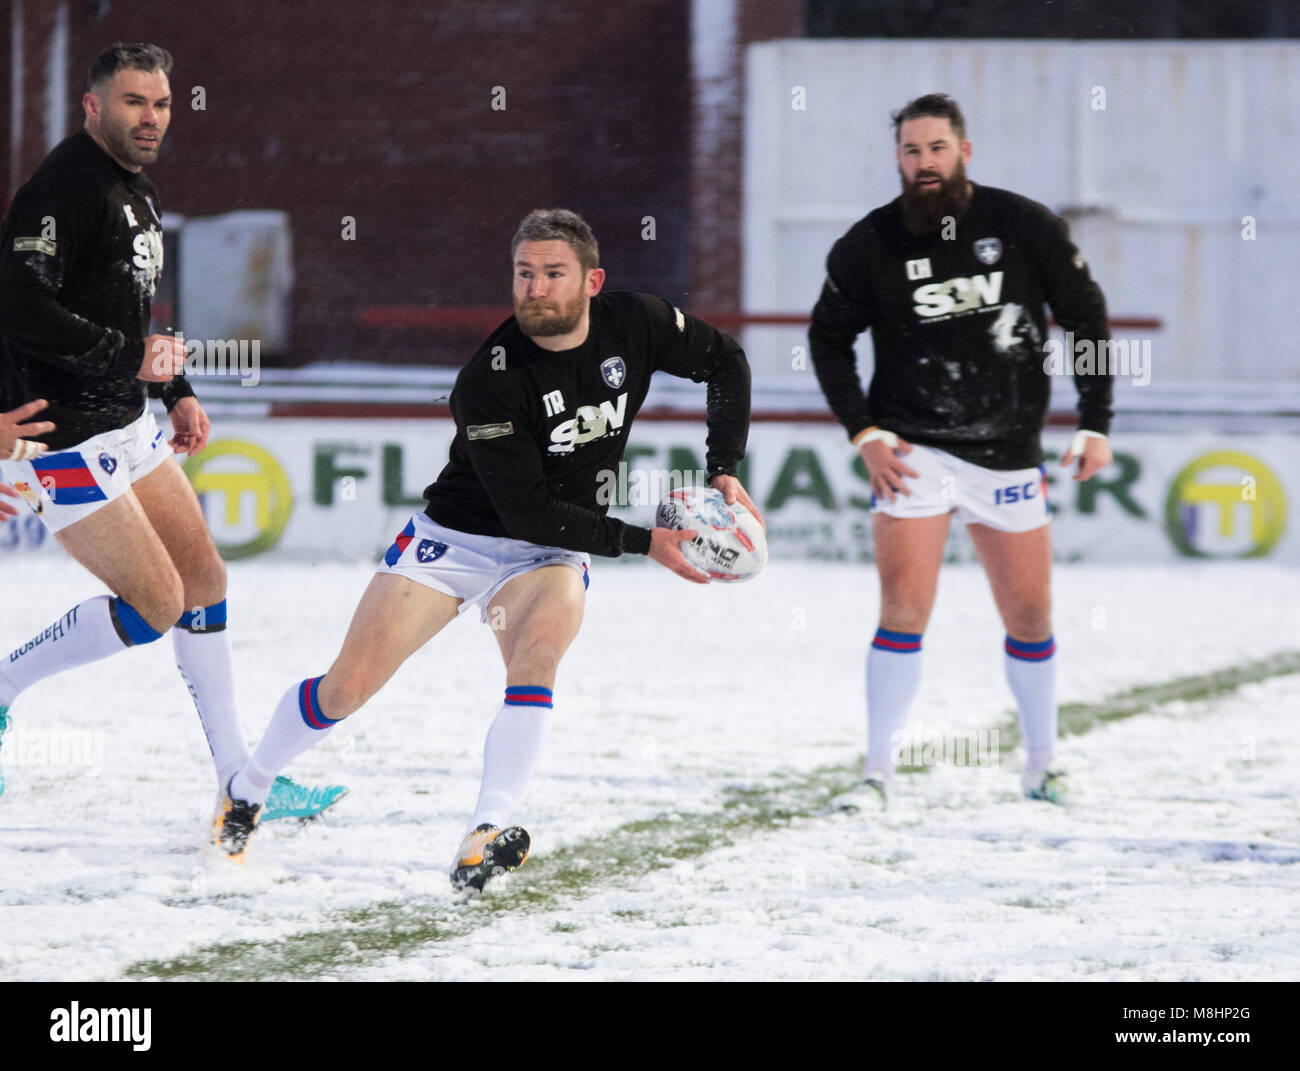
<point>679,817</point>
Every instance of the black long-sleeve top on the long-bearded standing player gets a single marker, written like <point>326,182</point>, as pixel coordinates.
<point>959,328</point>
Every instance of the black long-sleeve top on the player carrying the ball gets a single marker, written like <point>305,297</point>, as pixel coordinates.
<point>540,432</point>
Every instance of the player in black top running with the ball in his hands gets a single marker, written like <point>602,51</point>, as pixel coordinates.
<point>543,415</point>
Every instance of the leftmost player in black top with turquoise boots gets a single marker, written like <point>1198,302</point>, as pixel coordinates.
<point>80,259</point>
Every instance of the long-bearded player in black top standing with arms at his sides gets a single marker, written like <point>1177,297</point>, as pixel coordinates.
<point>952,280</point>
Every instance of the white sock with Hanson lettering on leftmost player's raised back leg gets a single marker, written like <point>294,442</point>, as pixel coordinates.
<point>89,632</point>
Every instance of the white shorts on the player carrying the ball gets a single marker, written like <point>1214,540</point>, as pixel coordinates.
<point>471,569</point>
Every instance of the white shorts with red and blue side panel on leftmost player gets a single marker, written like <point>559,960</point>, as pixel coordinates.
<point>72,484</point>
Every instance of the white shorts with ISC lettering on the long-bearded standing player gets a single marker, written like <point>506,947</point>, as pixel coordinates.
<point>1007,500</point>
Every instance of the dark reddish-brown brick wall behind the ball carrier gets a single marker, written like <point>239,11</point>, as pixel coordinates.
<point>383,112</point>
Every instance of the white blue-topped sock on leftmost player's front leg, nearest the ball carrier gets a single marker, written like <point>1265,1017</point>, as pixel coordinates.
<point>202,649</point>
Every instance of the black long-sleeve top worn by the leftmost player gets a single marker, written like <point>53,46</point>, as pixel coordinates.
<point>81,254</point>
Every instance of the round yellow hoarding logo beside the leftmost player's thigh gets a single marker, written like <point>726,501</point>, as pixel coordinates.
<point>239,475</point>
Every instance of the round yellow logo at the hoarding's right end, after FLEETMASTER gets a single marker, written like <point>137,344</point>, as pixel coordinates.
<point>1225,505</point>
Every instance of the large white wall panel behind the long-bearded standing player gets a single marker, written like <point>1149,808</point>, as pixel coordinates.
<point>1194,137</point>
